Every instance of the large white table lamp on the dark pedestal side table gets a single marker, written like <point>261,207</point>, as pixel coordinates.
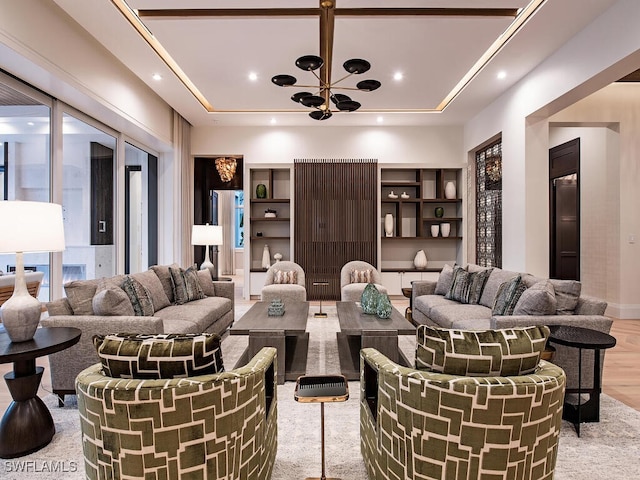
<point>28,227</point>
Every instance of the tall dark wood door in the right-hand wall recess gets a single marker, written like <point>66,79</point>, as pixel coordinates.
<point>564,204</point>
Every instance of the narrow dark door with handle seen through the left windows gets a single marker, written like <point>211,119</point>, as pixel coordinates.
<point>101,194</point>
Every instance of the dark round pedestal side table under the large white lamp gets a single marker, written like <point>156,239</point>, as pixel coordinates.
<point>27,424</point>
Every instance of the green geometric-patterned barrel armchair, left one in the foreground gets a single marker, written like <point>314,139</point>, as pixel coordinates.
<point>215,426</point>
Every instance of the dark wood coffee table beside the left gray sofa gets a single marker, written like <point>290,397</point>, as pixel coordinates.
<point>286,333</point>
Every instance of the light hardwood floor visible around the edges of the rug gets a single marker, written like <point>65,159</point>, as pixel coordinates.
<point>621,378</point>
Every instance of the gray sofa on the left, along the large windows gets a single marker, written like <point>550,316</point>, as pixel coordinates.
<point>84,308</point>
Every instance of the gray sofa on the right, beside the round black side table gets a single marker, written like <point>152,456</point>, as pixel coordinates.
<point>563,304</point>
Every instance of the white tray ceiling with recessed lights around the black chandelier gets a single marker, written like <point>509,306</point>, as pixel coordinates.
<point>450,70</point>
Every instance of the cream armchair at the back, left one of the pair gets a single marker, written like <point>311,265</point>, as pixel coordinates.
<point>285,281</point>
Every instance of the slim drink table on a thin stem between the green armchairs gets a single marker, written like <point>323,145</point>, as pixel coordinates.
<point>321,389</point>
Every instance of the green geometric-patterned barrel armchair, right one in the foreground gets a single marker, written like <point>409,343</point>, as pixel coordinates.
<point>417,425</point>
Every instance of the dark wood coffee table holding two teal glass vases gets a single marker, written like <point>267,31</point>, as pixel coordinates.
<point>359,330</point>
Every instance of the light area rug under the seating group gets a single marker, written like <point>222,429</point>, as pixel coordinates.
<point>609,449</point>
